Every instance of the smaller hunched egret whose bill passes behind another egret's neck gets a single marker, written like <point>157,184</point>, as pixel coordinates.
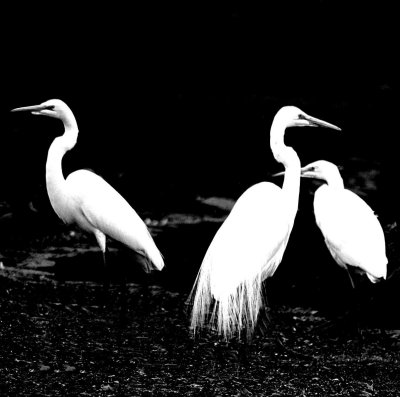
<point>351,230</point>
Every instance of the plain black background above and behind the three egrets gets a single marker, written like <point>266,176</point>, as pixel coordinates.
<point>175,101</point>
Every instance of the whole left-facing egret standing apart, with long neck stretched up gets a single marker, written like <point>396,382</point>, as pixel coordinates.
<point>86,199</point>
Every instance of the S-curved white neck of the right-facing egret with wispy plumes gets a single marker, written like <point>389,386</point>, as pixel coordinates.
<point>288,157</point>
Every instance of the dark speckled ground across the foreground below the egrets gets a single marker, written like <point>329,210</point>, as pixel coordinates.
<point>58,340</point>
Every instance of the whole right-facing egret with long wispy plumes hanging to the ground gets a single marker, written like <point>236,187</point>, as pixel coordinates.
<point>249,245</point>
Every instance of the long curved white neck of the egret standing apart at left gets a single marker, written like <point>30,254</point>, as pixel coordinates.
<point>55,181</point>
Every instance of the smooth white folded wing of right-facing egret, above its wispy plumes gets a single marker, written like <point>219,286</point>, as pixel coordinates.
<point>251,241</point>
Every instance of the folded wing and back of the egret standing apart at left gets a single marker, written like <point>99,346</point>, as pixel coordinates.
<point>101,207</point>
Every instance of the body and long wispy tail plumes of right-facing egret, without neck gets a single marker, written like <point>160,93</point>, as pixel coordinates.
<point>247,248</point>
